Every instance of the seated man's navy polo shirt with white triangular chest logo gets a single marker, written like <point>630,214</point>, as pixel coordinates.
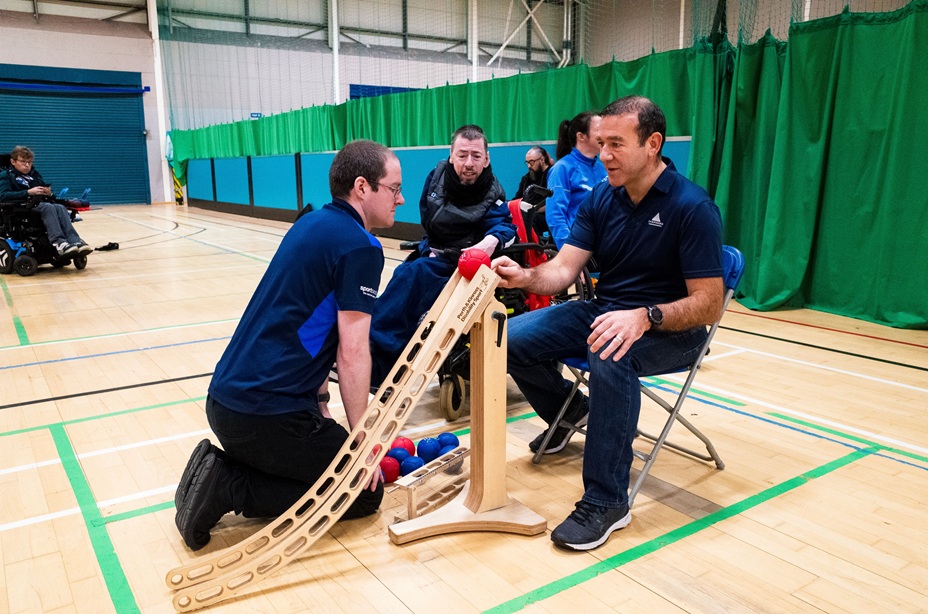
<point>647,252</point>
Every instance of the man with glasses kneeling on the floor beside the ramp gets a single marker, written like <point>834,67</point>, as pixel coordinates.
<point>267,399</point>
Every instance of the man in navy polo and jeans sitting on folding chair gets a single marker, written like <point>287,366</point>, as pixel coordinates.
<point>657,239</point>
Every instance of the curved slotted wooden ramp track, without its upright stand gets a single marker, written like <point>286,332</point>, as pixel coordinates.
<point>221,575</point>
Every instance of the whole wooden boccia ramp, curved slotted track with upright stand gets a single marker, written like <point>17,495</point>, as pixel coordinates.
<point>483,504</point>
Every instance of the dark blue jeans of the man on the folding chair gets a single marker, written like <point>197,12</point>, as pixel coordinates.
<point>538,339</point>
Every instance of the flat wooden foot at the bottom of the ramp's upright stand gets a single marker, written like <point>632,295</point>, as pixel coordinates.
<point>455,517</point>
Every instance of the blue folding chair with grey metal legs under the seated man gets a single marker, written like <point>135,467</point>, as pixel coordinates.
<point>732,267</point>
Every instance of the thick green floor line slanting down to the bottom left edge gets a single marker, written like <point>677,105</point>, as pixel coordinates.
<point>113,575</point>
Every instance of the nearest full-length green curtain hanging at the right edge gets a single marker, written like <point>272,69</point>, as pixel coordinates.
<point>846,218</point>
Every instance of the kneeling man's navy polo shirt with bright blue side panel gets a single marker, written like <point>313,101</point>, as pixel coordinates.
<point>286,342</point>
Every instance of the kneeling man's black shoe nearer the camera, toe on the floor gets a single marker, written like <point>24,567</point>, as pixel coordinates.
<point>206,502</point>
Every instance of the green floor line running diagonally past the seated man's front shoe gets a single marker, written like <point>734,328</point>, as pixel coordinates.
<point>636,552</point>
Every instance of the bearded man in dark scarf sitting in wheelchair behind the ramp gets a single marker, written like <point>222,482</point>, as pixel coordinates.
<point>463,205</point>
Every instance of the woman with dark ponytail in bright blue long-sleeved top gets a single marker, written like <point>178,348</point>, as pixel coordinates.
<point>575,174</point>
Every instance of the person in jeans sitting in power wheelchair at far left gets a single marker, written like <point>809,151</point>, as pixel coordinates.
<point>23,182</point>
